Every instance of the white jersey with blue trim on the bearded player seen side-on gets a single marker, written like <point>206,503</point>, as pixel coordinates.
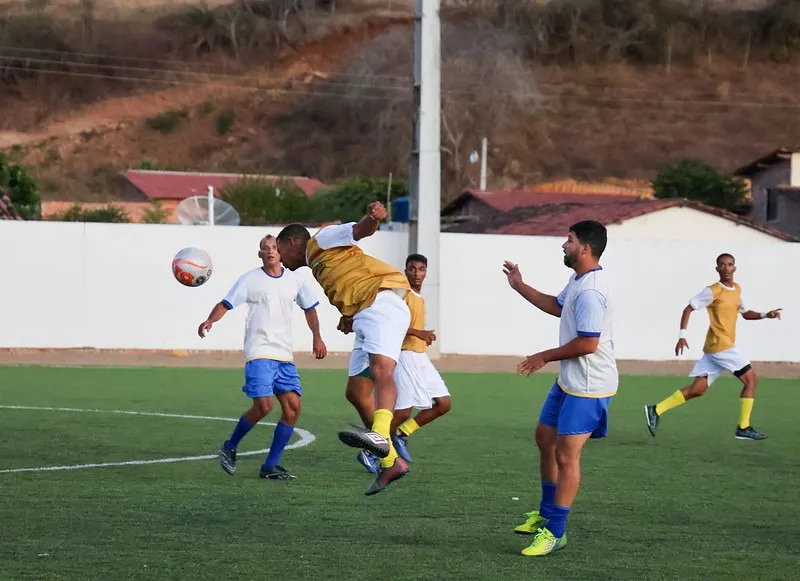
<point>587,311</point>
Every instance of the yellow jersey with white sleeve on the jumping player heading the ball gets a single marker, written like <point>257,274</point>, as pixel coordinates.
<point>349,278</point>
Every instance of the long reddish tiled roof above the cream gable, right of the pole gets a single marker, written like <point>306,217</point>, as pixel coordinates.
<point>553,214</point>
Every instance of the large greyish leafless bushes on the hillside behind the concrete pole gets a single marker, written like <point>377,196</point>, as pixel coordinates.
<point>360,121</point>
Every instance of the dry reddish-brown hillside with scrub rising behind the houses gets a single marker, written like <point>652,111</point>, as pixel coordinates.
<point>332,98</point>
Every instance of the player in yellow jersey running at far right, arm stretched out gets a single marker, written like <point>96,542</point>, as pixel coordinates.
<point>723,300</point>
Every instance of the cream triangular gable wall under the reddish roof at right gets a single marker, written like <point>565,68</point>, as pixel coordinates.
<point>691,225</point>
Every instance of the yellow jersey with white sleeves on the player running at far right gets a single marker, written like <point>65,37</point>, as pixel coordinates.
<point>723,305</point>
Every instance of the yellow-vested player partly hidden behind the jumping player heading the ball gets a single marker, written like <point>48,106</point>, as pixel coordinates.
<point>419,385</point>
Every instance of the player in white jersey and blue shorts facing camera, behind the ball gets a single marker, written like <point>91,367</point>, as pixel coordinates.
<point>270,293</point>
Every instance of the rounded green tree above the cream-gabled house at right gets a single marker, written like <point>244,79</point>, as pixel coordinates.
<point>695,180</point>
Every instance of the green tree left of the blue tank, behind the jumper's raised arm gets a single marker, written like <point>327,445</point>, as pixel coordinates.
<point>349,200</point>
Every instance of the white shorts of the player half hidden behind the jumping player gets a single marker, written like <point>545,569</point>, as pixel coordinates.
<point>418,382</point>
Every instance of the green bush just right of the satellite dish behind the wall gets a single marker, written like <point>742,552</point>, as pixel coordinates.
<point>261,202</point>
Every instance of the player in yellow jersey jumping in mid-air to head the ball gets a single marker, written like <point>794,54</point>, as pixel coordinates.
<point>371,292</point>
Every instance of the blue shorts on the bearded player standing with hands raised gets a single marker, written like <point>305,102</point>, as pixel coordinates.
<point>572,415</point>
